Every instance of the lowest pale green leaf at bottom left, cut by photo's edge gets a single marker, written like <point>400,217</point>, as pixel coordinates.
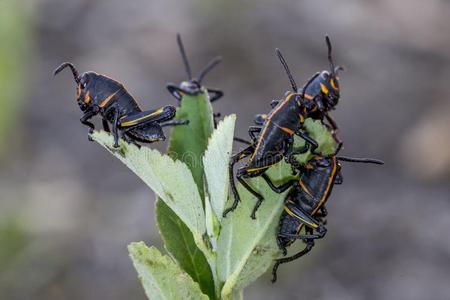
<point>161,277</point>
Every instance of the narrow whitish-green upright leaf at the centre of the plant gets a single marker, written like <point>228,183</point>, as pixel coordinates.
<point>216,161</point>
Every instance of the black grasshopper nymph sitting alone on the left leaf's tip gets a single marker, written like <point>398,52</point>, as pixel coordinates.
<point>99,94</point>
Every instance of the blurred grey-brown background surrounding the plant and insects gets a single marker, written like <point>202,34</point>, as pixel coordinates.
<point>68,209</point>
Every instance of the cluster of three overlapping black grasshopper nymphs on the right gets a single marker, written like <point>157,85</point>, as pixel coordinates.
<point>272,140</point>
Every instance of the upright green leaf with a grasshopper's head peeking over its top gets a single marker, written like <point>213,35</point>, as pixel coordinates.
<point>188,143</point>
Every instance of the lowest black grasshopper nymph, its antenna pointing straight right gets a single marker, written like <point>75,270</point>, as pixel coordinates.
<point>305,204</point>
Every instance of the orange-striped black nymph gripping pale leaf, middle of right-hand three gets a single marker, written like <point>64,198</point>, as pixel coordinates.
<point>272,140</point>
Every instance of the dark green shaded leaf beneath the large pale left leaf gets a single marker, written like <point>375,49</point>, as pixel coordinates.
<point>179,240</point>
